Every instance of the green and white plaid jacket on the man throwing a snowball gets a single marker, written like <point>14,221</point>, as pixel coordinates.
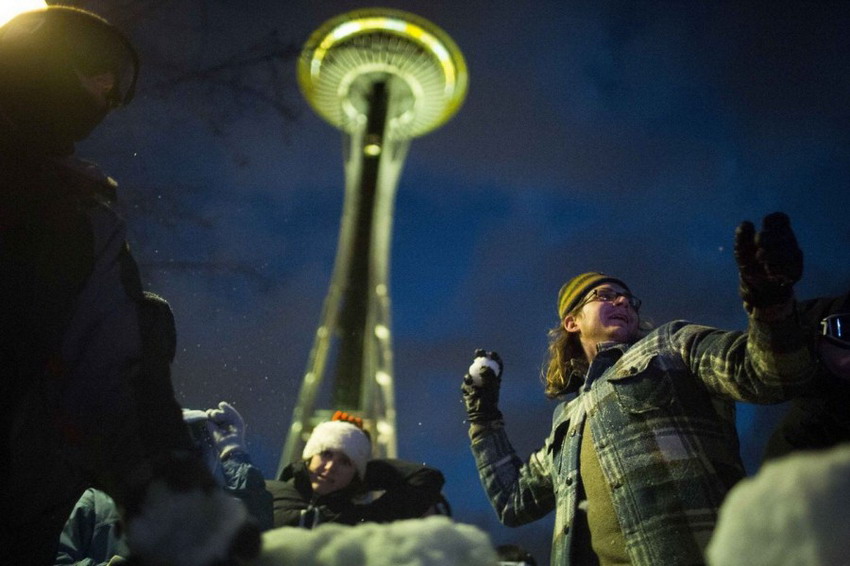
<point>662,417</point>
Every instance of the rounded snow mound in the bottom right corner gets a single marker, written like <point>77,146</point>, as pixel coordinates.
<point>795,511</point>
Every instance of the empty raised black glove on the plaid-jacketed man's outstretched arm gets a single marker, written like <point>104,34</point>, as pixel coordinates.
<point>769,262</point>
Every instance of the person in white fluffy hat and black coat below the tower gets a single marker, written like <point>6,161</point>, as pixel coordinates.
<point>336,474</point>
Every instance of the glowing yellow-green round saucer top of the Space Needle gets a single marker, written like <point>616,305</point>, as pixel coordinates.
<point>424,70</point>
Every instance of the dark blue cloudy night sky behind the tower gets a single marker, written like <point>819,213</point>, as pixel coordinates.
<point>625,137</point>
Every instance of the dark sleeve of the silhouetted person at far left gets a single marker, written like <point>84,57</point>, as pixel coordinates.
<point>119,400</point>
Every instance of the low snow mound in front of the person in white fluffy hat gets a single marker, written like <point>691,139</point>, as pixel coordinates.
<point>433,541</point>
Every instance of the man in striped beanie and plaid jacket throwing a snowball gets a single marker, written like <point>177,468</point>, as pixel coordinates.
<point>643,447</point>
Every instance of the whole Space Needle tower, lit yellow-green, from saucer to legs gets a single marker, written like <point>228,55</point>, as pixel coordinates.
<point>383,77</point>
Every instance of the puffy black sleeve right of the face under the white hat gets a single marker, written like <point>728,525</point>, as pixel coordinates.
<point>409,489</point>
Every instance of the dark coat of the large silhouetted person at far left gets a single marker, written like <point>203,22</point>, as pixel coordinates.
<point>83,373</point>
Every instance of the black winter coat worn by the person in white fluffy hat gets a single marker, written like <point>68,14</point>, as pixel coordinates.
<point>409,489</point>
